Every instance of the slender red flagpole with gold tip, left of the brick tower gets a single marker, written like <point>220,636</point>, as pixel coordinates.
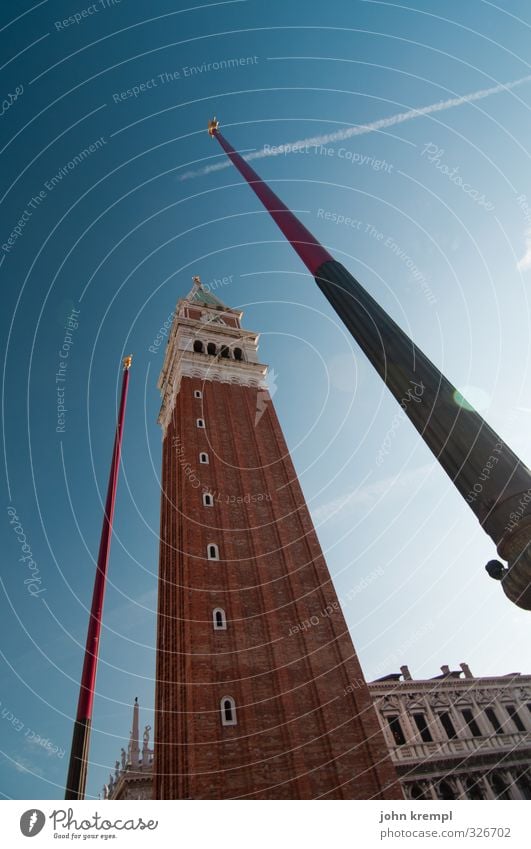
<point>77,768</point>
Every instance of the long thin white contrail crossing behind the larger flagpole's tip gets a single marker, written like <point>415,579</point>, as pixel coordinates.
<point>361,129</point>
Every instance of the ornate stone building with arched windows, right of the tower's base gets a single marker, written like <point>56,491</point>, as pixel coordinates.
<point>456,736</point>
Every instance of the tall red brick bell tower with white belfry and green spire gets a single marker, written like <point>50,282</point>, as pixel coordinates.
<point>250,702</point>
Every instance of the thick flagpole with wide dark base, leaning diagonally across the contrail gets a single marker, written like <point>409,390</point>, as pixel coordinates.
<point>488,475</point>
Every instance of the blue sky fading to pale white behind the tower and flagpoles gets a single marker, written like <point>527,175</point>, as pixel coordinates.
<point>115,234</point>
